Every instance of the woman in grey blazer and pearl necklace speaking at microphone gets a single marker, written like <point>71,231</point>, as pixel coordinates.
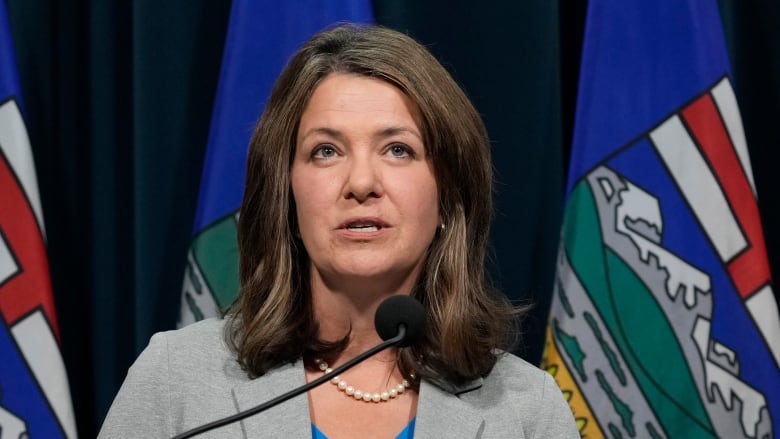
<point>369,175</point>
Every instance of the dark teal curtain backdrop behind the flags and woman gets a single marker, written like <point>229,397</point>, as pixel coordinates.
<point>119,98</point>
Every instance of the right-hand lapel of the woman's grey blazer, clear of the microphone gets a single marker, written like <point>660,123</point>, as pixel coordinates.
<point>441,413</point>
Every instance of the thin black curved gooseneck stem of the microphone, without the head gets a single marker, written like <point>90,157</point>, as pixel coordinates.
<point>295,392</point>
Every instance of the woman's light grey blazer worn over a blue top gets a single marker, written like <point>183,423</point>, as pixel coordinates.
<point>188,377</point>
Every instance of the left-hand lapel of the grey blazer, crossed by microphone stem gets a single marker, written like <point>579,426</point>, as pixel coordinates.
<point>288,419</point>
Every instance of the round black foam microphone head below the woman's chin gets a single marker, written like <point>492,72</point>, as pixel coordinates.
<point>400,310</point>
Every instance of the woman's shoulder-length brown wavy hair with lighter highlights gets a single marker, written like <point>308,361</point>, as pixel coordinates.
<point>272,322</point>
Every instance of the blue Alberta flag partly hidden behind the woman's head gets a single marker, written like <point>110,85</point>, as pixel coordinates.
<point>262,36</point>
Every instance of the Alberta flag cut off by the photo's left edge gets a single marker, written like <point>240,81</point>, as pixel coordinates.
<point>34,395</point>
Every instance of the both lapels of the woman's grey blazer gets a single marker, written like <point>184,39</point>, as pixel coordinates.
<point>440,412</point>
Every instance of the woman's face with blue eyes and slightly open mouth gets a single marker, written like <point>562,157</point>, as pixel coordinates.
<point>366,195</point>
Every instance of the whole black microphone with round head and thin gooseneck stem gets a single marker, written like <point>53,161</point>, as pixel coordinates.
<point>399,321</point>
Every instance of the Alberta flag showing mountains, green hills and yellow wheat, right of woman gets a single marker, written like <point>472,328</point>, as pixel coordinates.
<point>664,323</point>
